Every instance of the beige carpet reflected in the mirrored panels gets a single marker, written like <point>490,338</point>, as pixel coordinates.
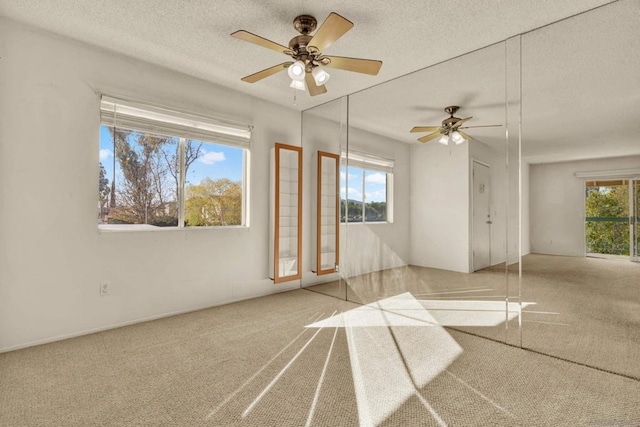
<point>585,310</point>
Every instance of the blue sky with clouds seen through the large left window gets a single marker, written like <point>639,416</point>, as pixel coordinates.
<point>215,161</point>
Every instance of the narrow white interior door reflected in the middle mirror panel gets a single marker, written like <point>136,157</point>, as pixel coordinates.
<point>481,233</point>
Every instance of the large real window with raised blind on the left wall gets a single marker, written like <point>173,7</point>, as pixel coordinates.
<point>160,168</point>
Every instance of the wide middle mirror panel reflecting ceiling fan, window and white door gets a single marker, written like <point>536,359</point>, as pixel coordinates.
<point>425,254</point>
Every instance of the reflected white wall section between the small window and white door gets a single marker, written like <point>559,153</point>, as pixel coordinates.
<point>440,206</point>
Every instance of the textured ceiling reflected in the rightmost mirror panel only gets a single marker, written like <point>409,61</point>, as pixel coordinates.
<point>581,86</point>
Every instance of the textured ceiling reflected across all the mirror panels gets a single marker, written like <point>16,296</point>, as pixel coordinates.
<point>580,89</point>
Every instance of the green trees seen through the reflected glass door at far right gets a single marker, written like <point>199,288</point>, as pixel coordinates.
<point>607,212</point>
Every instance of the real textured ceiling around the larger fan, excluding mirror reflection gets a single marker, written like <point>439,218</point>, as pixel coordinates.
<point>192,36</point>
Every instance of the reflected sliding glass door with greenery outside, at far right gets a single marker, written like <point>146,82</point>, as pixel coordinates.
<point>611,219</point>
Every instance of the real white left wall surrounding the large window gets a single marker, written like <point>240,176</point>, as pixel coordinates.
<point>52,256</point>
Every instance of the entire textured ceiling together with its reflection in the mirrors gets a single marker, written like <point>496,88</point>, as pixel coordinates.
<point>580,76</point>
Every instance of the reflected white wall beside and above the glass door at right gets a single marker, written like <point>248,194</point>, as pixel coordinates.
<point>557,203</point>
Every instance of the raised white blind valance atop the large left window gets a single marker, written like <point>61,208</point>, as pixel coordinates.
<point>147,118</point>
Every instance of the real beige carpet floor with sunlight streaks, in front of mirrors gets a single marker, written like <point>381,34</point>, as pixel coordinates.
<point>254,363</point>
